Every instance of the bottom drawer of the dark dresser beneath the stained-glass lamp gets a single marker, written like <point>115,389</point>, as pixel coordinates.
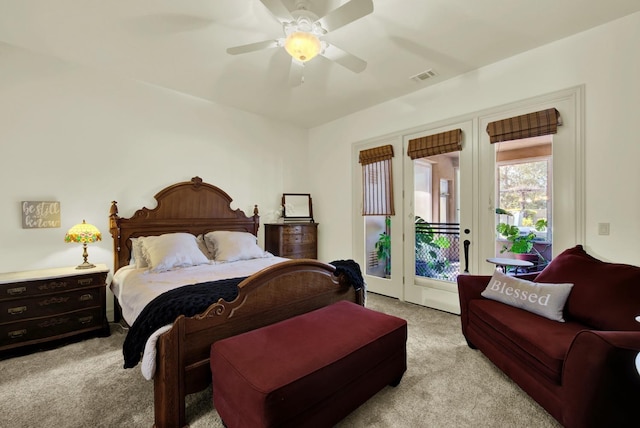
<point>61,325</point>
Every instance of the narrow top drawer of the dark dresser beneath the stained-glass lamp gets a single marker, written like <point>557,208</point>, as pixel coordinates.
<point>54,285</point>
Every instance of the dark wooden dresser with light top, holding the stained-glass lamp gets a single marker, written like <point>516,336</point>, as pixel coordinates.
<point>43,305</point>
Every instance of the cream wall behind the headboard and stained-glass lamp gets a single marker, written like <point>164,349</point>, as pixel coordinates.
<point>83,138</point>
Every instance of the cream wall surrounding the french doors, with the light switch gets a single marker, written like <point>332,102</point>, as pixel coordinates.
<point>604,59</point>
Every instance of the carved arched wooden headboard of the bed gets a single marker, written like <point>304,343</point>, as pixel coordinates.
<point>191,206</point>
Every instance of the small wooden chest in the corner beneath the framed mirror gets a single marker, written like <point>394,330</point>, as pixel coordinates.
<point>292,240</point>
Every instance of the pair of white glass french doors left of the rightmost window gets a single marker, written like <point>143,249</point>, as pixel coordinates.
<point>434,211</point>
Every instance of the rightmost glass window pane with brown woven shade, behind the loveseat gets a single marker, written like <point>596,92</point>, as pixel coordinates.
<point>523,157</point>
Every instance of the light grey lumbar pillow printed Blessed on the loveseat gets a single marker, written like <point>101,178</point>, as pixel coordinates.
<point>540,298</point>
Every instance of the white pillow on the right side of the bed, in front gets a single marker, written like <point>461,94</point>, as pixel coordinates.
<point>231,246</point>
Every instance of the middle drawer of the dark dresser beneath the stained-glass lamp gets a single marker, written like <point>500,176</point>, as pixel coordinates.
<point>46,305</point>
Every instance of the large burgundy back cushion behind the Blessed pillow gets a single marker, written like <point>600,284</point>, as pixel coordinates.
<point>605,295</point>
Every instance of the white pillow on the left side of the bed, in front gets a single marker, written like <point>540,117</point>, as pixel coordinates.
<point>171,250</point>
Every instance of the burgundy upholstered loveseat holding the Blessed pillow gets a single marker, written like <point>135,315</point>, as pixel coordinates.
<point>582,371</point>
